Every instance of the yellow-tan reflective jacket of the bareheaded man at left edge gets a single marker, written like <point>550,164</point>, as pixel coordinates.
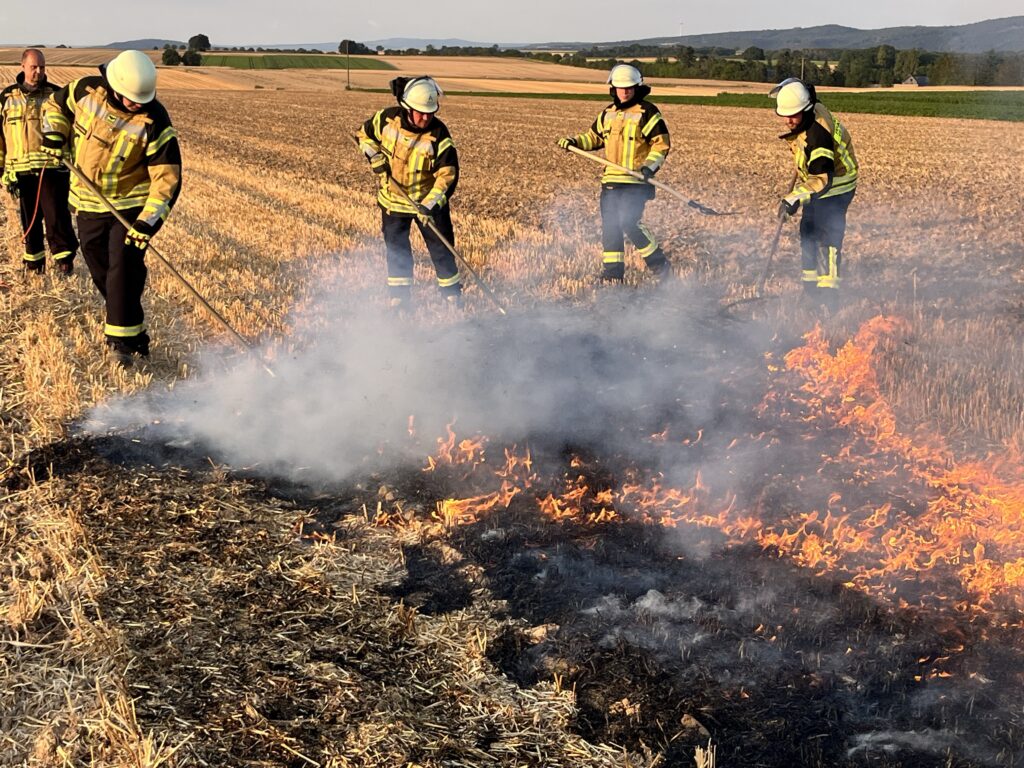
<point>21,110</point>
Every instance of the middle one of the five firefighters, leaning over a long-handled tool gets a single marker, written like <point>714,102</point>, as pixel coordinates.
<point>412,151</point>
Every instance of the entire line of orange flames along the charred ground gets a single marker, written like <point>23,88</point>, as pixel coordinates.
<point>943,532</point>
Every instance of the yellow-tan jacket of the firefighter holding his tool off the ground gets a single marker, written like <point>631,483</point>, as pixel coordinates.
<point>633,135</point>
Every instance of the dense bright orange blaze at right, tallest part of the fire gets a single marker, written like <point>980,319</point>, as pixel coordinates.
<point>973,508</point>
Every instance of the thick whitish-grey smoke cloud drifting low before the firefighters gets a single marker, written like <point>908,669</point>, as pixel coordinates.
<point>598,374</point>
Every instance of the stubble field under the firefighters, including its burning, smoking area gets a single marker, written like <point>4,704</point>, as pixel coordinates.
<point>641,526</point>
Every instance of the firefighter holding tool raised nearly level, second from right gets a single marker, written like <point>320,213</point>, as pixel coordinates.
<point>633,135</point>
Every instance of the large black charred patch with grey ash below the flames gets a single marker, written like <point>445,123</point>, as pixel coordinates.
<point>777,667</point>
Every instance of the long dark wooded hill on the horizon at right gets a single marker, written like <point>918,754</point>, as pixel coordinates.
<point>996,34</point>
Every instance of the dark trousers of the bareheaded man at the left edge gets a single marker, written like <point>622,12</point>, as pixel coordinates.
<point>53,211</point>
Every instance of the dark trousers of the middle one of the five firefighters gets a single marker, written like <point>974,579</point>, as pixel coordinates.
<point>397,230</point>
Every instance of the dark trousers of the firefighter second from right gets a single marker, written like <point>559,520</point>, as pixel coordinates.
<point>622,209</point>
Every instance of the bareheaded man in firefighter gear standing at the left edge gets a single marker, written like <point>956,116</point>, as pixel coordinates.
<point>42,194</point>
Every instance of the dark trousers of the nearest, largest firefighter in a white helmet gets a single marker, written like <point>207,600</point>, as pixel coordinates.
<point>119,272</point>
